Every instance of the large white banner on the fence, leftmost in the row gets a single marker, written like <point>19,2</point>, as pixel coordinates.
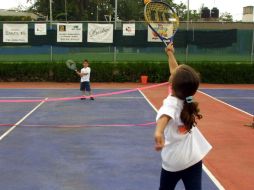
<point>15,33</point>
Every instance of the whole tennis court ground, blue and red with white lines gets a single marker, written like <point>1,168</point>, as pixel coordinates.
<point>106,143</point>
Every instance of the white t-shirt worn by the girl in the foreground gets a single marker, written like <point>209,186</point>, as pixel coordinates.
<point>181,150</point>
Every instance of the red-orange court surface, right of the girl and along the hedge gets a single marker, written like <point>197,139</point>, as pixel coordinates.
<point>231,160</point>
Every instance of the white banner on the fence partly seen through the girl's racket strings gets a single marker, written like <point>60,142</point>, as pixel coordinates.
<point>165,30</point>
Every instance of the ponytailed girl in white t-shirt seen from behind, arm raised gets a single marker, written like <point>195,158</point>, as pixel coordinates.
<point>182,145</point>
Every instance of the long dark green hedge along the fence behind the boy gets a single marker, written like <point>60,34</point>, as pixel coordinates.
<point>125,72</point>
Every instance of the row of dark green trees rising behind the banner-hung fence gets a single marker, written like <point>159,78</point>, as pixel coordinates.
<point>92,10</point>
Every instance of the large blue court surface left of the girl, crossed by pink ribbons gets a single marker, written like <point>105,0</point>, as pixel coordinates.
<point>58,146</point>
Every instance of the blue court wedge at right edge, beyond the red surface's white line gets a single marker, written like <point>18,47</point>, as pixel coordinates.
<point>240,98</point>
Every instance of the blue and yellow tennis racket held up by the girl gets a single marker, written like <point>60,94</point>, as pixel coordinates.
<point>162,19</point>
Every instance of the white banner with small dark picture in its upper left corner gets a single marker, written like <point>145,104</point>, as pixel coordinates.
<point>69,32</point>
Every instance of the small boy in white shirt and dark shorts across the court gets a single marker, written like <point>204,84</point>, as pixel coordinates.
<point>85,80</point>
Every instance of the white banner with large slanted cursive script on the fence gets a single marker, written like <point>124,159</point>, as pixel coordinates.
<point>100,33</point>
